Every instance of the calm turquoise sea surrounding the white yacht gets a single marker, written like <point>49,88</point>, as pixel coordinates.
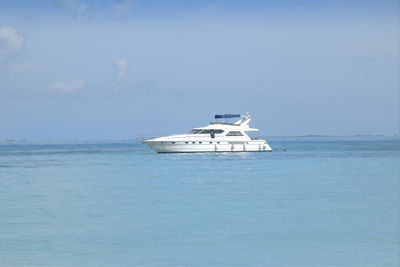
<point>323,202</point>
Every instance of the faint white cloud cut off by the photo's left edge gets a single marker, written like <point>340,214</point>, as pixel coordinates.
<point>10,41</point>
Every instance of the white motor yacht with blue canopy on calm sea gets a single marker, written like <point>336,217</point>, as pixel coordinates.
<point>215,137</point>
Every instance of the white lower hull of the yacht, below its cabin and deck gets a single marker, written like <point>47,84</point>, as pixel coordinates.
<point>197,147</point>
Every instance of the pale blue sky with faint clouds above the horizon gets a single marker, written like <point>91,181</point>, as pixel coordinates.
<point>102,70</point>
